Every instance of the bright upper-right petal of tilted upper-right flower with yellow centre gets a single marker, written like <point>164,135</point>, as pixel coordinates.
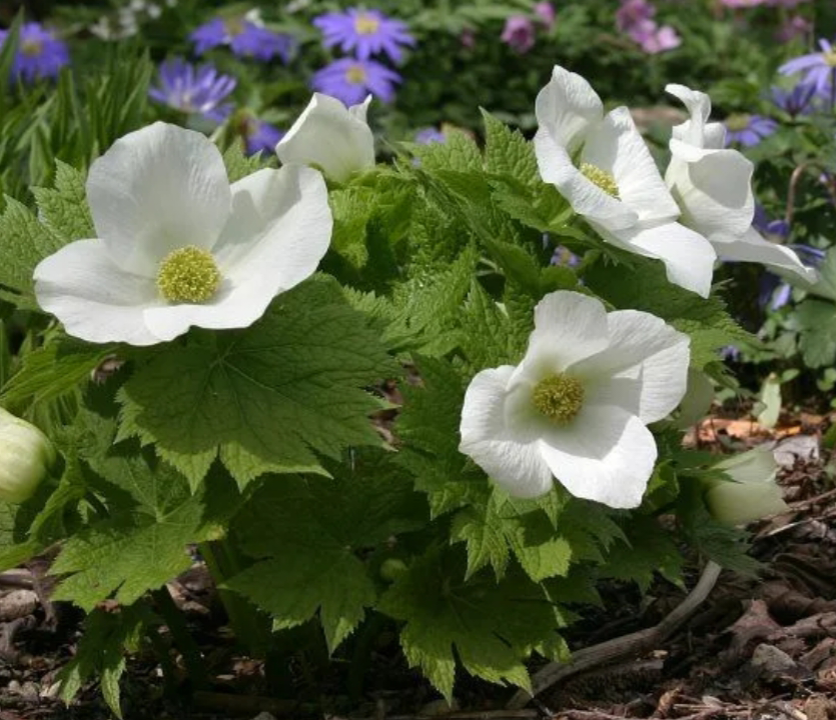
<point>615,146</point>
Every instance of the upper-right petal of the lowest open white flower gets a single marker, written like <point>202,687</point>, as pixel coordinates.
<point>644,347</point>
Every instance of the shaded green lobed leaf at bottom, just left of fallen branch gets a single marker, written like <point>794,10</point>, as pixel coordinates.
<point>490,627</point>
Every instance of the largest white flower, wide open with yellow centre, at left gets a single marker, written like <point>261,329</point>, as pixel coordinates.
<point>178,246</point>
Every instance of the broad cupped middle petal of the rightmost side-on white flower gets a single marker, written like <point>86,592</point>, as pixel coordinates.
<point>712,187</point>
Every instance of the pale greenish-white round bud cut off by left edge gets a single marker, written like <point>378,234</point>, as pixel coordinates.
<point>26,455</point>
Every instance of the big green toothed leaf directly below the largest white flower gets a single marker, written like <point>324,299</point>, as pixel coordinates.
<point>268,398</point>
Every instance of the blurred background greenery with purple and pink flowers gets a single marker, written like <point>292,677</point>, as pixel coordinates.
<point>75,76</point>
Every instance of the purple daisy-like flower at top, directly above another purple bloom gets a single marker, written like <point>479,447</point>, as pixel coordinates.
<point>366,32</point>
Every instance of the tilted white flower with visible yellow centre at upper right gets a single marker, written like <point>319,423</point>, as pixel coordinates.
<point>616,185</point>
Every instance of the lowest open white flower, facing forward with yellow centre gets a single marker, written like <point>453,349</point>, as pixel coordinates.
<point>576,406</point>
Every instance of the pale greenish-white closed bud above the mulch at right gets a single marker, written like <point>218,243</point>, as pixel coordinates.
<point>753,494</point>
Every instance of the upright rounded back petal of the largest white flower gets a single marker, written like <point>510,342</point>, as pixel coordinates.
<point>155,190</point>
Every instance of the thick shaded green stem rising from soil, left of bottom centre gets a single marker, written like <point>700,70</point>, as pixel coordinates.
<point>251,627</point>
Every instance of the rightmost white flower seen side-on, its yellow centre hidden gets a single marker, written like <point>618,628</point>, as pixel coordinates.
<point>713,186</point>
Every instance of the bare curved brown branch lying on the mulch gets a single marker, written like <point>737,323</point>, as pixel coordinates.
<point>622,647</point>
